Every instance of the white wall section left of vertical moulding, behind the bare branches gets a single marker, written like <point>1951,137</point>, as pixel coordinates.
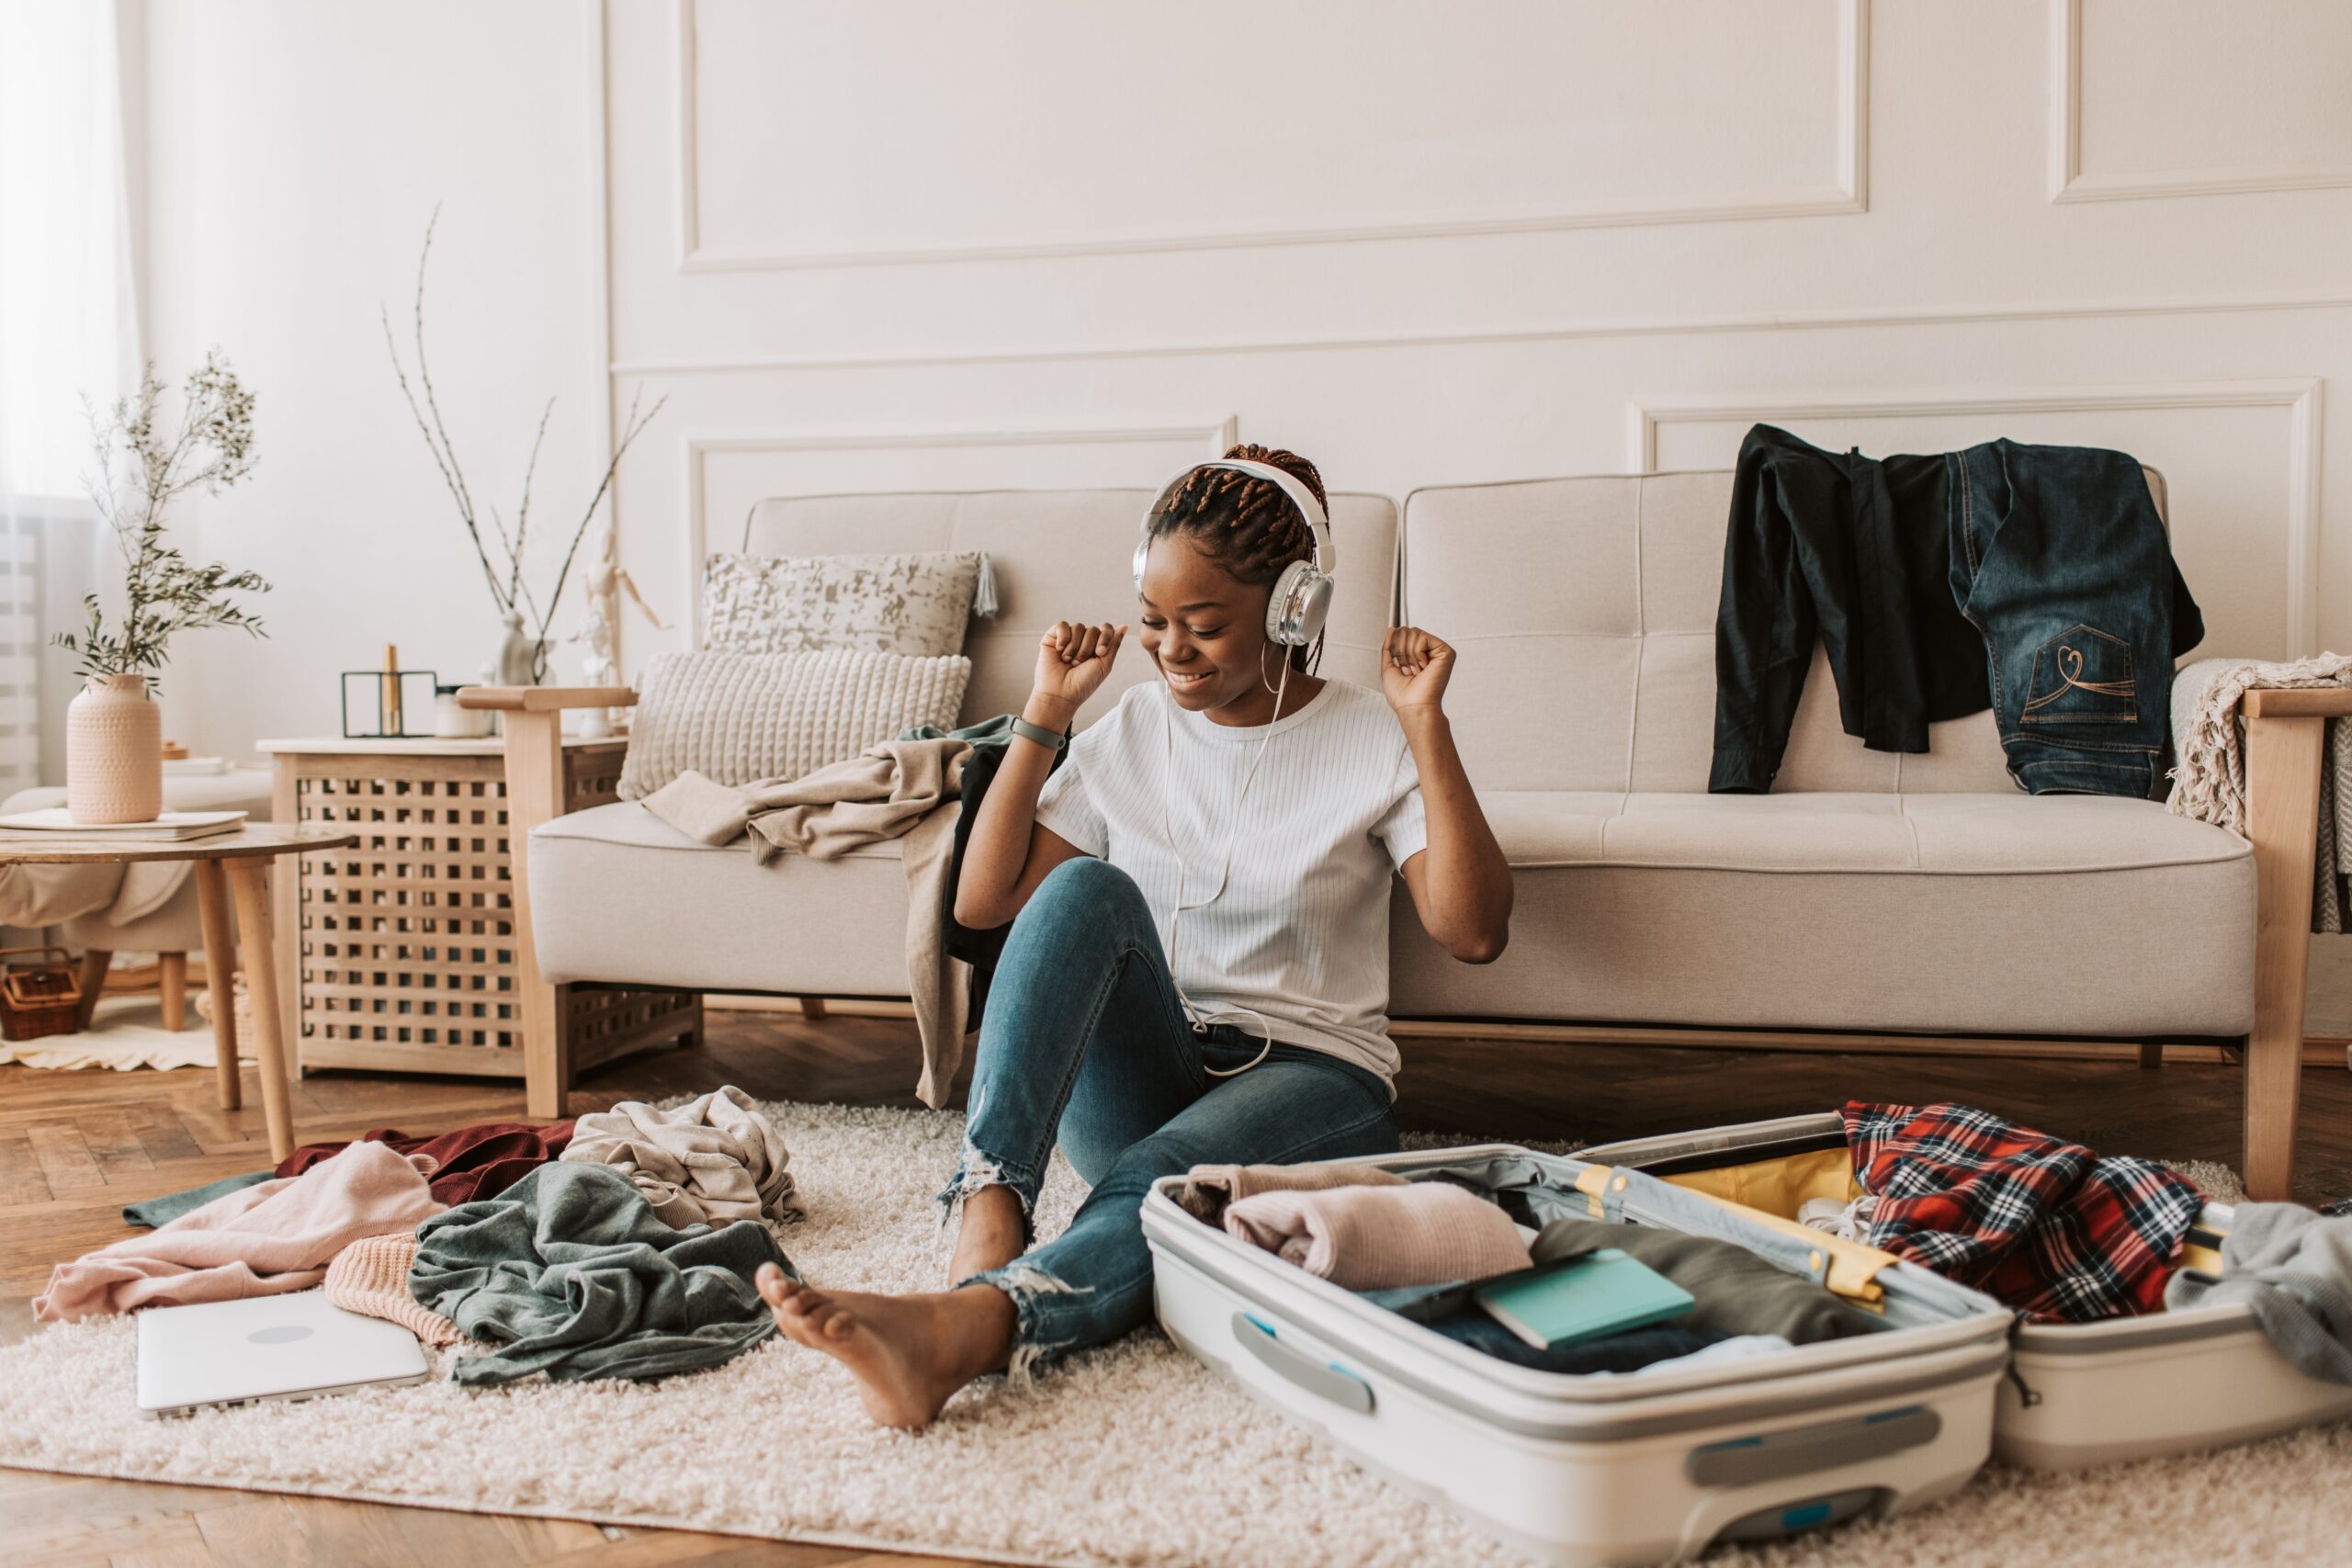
<point>295,154</point>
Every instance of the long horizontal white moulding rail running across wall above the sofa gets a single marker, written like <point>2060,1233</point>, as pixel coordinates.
<point>1542,333</point>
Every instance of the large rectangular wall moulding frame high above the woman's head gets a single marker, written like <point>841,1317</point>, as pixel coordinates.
<point>1847,192</point>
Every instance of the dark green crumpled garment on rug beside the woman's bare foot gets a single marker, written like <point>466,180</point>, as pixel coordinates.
<point>568,1273</point>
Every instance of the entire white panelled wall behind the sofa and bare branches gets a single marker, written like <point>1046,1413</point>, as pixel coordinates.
<point>911,243</point>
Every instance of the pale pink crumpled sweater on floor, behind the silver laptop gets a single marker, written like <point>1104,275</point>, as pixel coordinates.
<point>258,1242</point>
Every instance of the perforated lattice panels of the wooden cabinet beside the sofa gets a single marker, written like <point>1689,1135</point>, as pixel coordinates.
<point>406,944</point>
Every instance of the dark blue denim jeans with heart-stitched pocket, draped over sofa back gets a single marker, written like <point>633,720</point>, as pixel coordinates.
<point>2059,558</point>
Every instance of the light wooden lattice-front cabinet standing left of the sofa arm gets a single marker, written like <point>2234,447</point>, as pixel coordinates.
<point>410,956</point>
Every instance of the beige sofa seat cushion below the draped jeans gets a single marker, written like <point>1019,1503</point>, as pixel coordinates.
<point>1855,911</point>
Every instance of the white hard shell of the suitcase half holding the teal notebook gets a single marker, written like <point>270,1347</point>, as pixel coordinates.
<point>1603,1470</point>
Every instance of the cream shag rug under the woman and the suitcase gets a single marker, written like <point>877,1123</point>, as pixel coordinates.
<point>1128,1454</point>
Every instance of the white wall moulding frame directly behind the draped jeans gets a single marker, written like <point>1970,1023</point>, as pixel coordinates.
<point>2297,396</point>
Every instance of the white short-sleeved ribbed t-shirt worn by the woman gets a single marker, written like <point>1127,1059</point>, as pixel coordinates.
<point>1299,932</point>
